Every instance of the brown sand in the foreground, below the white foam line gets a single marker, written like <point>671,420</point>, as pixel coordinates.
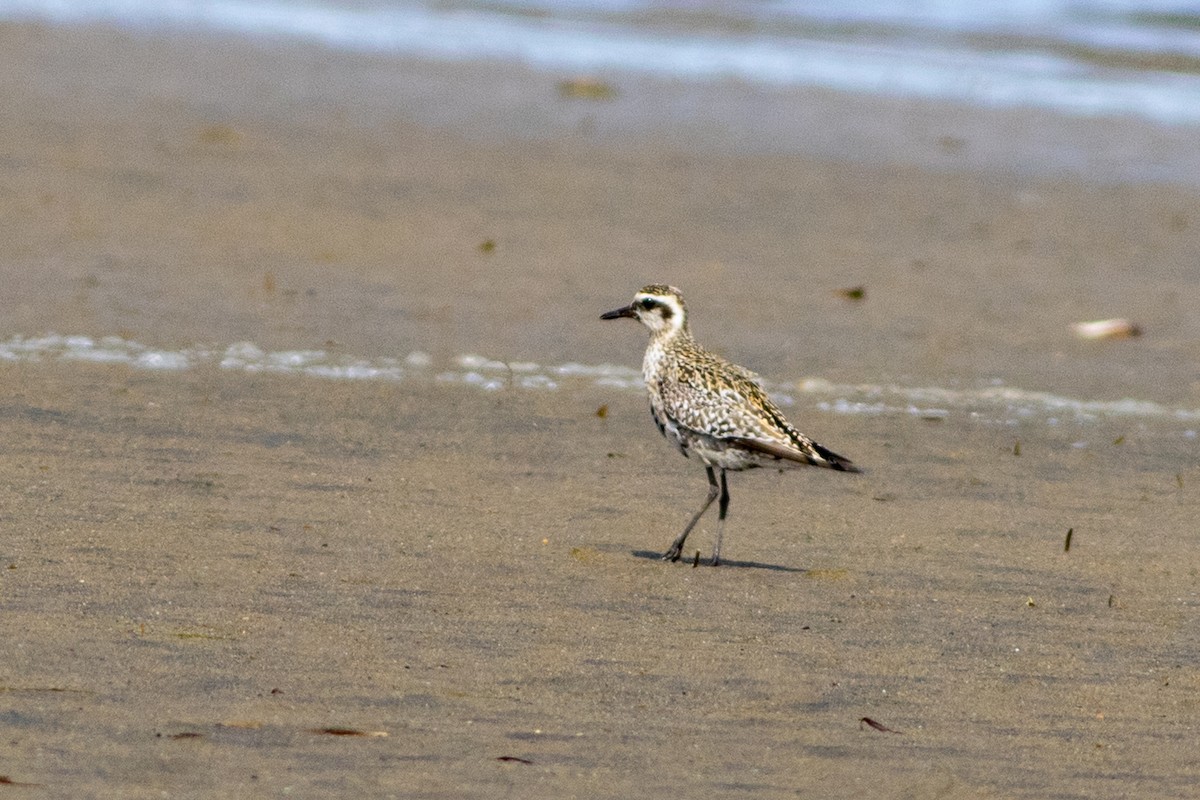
<point>203,573</point>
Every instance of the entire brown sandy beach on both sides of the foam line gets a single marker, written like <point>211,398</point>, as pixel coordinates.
<point>206,570</point>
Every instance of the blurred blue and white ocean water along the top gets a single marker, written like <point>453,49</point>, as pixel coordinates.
<point>1087,58</point>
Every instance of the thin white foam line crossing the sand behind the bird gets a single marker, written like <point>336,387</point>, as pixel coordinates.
<point>993,404</point>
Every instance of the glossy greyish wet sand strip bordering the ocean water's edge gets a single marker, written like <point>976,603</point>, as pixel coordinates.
<point>493,101</point>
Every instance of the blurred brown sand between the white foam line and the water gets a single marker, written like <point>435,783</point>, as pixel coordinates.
<point>185,195</point>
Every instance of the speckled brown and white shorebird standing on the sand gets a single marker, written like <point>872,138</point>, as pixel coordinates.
<point>713,410</point>
